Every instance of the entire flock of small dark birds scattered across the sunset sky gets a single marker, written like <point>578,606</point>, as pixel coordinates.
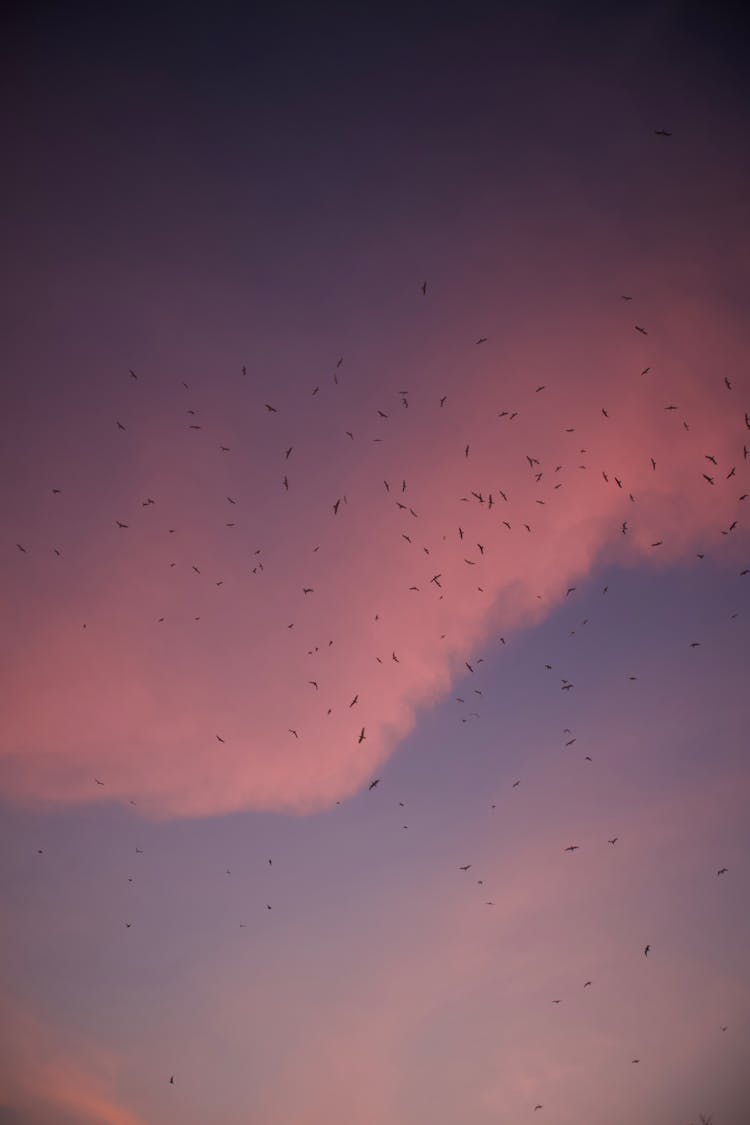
<point>485,500</point>
